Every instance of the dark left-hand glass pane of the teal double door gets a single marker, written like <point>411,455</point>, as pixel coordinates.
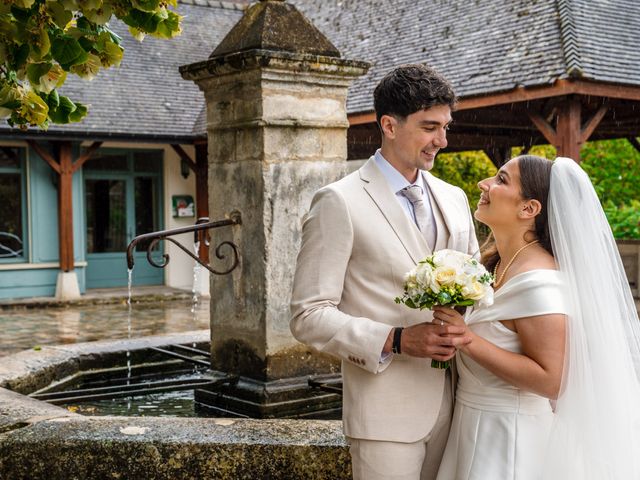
<point>106,216</point>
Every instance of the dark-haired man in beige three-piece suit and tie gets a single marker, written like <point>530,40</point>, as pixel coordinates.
<point>361,235</point>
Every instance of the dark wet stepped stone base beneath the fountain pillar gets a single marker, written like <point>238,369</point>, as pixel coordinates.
<point>287,398</point>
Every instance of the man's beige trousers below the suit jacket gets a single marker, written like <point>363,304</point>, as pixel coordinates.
<point>379,460</point>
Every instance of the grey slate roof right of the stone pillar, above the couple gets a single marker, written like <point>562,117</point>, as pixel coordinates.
<point>484,46</point>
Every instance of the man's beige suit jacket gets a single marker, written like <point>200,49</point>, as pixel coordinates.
<point>357,245</point>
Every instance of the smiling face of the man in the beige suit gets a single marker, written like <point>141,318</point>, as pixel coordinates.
<point>416,140</point>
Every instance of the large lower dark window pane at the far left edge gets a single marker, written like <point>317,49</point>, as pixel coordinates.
<point>11,242</point>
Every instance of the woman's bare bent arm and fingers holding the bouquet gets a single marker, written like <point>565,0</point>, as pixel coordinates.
<point>538,369</point>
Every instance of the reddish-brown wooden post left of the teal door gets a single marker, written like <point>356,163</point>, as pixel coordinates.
<point>65,207</point>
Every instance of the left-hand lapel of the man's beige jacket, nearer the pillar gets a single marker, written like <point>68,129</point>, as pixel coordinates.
<point>378,189</point>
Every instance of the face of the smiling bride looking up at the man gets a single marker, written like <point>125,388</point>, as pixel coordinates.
<point>501,200</point>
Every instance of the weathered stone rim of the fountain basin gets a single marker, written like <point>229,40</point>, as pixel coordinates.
<point>39,440</point>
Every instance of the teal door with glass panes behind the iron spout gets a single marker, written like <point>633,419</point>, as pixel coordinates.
<point>123,198</point>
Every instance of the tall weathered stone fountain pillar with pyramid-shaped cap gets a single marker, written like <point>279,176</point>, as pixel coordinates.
<point>276,92</point>
